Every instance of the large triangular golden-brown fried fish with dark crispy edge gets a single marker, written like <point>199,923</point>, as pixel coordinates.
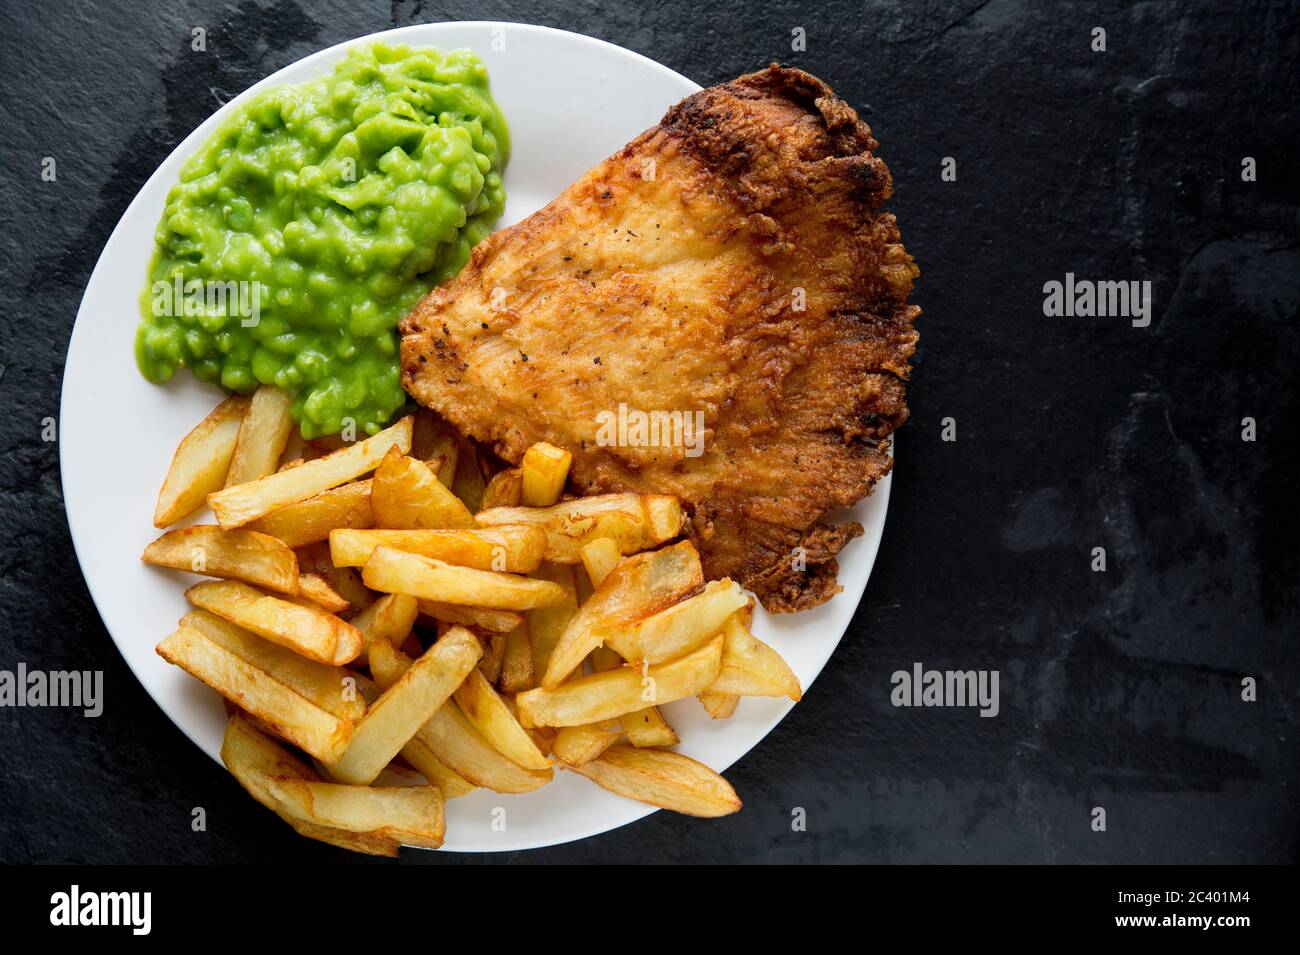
<point>735,262</point>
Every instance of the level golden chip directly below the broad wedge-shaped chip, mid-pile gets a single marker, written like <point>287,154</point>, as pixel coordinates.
<point>509,550</point>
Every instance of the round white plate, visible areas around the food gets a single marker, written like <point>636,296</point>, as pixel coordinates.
<point>571,102</point>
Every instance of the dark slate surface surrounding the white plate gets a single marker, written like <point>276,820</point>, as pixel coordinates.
<point>1119,691</point>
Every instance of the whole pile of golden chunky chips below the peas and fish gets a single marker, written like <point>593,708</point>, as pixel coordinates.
<point>545,584</point>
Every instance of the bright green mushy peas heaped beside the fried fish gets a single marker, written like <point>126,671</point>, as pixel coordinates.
<point>317,218</point>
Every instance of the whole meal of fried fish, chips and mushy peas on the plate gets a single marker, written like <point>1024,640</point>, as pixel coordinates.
<point>639,406</point>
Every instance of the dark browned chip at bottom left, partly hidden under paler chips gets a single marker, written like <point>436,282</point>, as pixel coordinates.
<point>254,759</point>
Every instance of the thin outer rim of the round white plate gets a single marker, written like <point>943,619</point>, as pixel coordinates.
<point>853,591</point>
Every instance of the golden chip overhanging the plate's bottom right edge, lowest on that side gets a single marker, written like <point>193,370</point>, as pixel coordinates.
<point>664,779</point>
